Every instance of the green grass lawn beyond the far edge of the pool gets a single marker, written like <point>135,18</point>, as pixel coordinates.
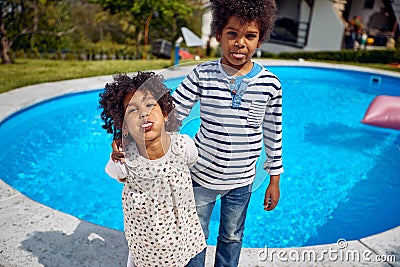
<point>32,71</point>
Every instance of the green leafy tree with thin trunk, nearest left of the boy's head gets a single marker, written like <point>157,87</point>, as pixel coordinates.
<point>144,11</point>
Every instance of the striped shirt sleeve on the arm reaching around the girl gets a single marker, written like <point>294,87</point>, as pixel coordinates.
<point>187,94</point>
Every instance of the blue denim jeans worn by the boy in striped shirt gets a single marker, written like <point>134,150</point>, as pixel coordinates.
<point>234,205</point>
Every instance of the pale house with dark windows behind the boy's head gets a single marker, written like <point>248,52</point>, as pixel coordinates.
<point>320,25</point>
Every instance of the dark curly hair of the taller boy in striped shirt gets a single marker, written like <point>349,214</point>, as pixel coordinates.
<point>263,12</point>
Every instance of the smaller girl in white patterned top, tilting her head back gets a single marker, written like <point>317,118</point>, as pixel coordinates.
<point>160,220</point>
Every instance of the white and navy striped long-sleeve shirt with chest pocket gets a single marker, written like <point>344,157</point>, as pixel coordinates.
<point>230,139</point>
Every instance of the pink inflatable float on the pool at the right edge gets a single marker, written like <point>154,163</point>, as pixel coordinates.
<point>384,111</point>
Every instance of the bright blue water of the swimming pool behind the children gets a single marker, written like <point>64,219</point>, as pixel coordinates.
<point>341,180</point>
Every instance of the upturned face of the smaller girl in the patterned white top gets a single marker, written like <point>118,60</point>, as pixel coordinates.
<point>143,119</point>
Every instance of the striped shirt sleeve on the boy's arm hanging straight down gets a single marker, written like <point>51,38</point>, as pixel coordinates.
<point>272,128</point>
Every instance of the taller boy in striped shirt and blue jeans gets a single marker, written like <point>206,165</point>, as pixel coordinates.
<point>241,105</point>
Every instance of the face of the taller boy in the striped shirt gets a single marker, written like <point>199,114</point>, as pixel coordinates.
<point>238,43</point>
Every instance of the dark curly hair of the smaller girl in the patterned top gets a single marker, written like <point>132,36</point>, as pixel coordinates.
<point>112,100</point>
